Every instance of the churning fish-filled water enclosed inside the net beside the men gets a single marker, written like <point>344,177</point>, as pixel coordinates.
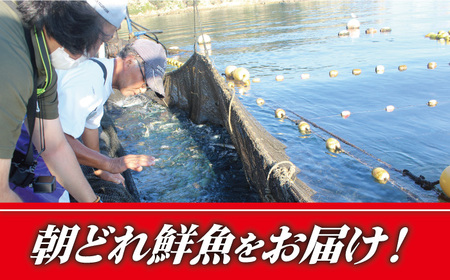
<point>194,163</point>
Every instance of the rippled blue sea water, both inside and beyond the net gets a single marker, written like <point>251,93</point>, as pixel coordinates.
<point>290,39</point>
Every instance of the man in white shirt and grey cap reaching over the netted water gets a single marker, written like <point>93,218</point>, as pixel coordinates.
<point>84,90</point>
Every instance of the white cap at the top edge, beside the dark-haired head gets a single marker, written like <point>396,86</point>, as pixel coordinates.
<point>114,11</point>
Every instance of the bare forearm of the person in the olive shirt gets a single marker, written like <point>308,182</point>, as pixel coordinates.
<point>62,162</point>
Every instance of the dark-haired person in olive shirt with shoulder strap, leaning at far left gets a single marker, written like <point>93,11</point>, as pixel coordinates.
<point>66,31</point>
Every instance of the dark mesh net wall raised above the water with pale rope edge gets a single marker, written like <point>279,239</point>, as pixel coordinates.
<point>197,88</point>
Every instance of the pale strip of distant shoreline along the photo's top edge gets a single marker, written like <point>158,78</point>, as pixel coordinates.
<point>139,8</point>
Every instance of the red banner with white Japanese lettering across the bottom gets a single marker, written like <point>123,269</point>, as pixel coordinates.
<point>222,241</point>
